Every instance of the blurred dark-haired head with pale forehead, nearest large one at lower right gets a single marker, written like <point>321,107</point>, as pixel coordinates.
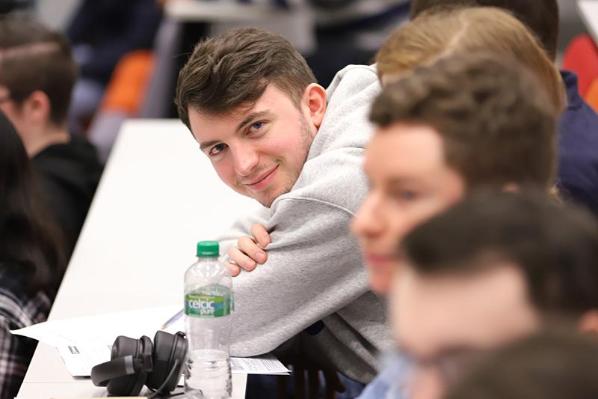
<point>492,269</point>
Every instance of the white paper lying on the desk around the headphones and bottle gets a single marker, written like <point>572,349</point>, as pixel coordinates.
<point>86,341</point>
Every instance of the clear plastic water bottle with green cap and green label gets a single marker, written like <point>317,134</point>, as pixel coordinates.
<point>208,305</point>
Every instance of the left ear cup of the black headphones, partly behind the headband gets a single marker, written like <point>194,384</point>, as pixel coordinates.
<point>129,385</point>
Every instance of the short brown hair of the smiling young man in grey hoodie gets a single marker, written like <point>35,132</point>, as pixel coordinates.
<point>234,69</point>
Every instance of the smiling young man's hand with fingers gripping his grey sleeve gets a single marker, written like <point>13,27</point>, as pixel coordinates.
<point>249,251</point>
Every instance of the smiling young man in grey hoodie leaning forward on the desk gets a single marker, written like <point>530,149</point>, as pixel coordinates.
<point>275,135</point>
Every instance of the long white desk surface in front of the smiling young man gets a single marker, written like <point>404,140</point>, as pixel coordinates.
<point>159,195</point>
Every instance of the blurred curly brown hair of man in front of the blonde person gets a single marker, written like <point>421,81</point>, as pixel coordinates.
<point>495,122</point>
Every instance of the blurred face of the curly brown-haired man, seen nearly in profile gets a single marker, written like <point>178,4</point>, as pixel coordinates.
<point>409,182</point>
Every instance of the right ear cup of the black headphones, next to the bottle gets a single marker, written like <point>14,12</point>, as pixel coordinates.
<point>168,348</point>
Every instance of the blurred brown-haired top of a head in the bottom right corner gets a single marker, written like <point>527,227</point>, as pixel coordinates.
<point>551,364</point>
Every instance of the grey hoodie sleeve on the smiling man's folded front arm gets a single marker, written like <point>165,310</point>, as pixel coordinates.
<point>314,269</point>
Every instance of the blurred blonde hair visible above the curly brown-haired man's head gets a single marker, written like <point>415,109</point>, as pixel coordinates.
<point>467,30</point>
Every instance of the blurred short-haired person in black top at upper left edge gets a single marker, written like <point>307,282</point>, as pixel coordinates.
<point>37,73</point>
